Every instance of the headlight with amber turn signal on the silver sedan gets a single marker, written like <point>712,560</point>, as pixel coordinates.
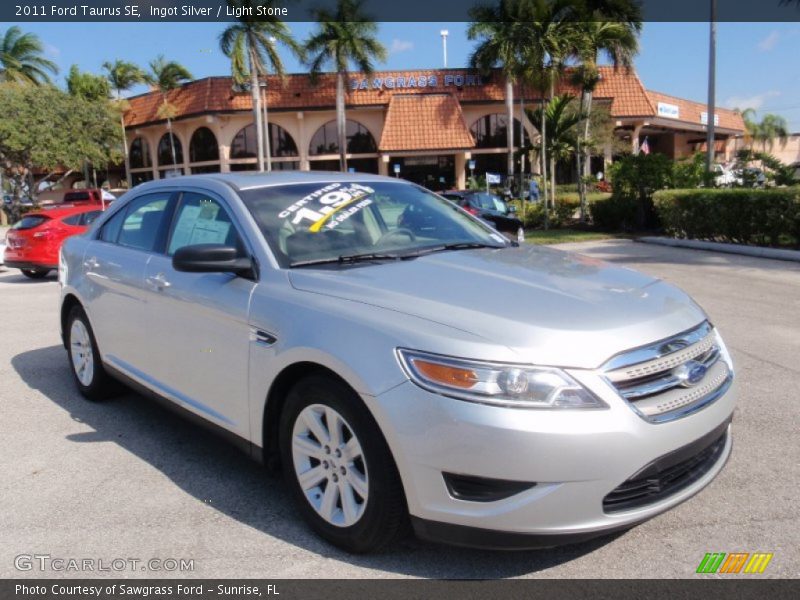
<point>500,384</point>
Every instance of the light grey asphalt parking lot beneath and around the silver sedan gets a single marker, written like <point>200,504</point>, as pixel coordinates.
<point>127,479</point>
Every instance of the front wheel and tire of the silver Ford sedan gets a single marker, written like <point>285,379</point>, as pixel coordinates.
<point>353,498</point>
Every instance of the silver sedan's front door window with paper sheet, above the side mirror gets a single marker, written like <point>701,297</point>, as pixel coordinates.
<point>201,219</point>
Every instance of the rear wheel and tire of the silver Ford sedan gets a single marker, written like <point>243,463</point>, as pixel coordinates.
<point>85,364</point>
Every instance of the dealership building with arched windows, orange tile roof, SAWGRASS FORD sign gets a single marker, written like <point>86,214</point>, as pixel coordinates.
<point>428,126</point>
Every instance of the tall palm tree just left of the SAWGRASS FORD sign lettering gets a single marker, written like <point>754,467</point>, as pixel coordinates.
<point>345,36</point>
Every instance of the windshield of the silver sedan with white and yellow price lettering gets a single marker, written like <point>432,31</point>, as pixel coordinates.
<point>312,223</point>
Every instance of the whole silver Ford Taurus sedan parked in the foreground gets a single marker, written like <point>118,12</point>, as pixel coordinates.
<point>401,362</point>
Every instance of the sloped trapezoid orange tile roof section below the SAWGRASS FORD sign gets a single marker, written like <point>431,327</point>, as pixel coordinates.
<point>437,115</point>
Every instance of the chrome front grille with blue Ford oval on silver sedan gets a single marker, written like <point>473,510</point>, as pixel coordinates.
<point>671,378</point>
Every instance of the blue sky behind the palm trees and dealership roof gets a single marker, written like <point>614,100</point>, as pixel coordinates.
<point>756,62</point>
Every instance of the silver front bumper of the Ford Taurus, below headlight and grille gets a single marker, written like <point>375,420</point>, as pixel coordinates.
<point>575,458</point>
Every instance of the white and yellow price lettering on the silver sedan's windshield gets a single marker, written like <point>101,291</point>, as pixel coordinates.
<point>319,206</point>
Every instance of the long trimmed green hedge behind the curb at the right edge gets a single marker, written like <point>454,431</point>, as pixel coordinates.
<point>745,216</point>
